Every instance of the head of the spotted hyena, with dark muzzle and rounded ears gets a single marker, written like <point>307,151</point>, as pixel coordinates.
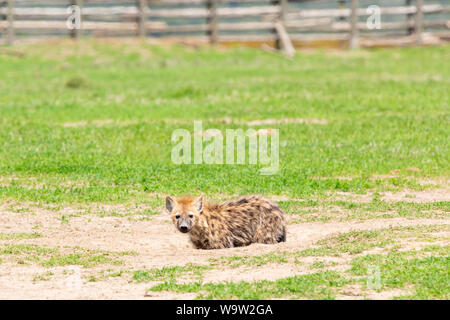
<point>184,212</point>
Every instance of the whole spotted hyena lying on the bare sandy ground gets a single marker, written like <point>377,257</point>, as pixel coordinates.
<point>236,223</point>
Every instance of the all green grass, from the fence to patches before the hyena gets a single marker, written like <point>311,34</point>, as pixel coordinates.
<point>91,123</point>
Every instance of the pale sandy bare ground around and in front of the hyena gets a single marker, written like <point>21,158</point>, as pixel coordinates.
<point>157,243</point>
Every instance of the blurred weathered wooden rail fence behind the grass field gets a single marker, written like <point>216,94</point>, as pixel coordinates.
<point>221,21</point>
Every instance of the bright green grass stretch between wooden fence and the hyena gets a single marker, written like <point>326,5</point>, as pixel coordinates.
<point>385,110</point>
